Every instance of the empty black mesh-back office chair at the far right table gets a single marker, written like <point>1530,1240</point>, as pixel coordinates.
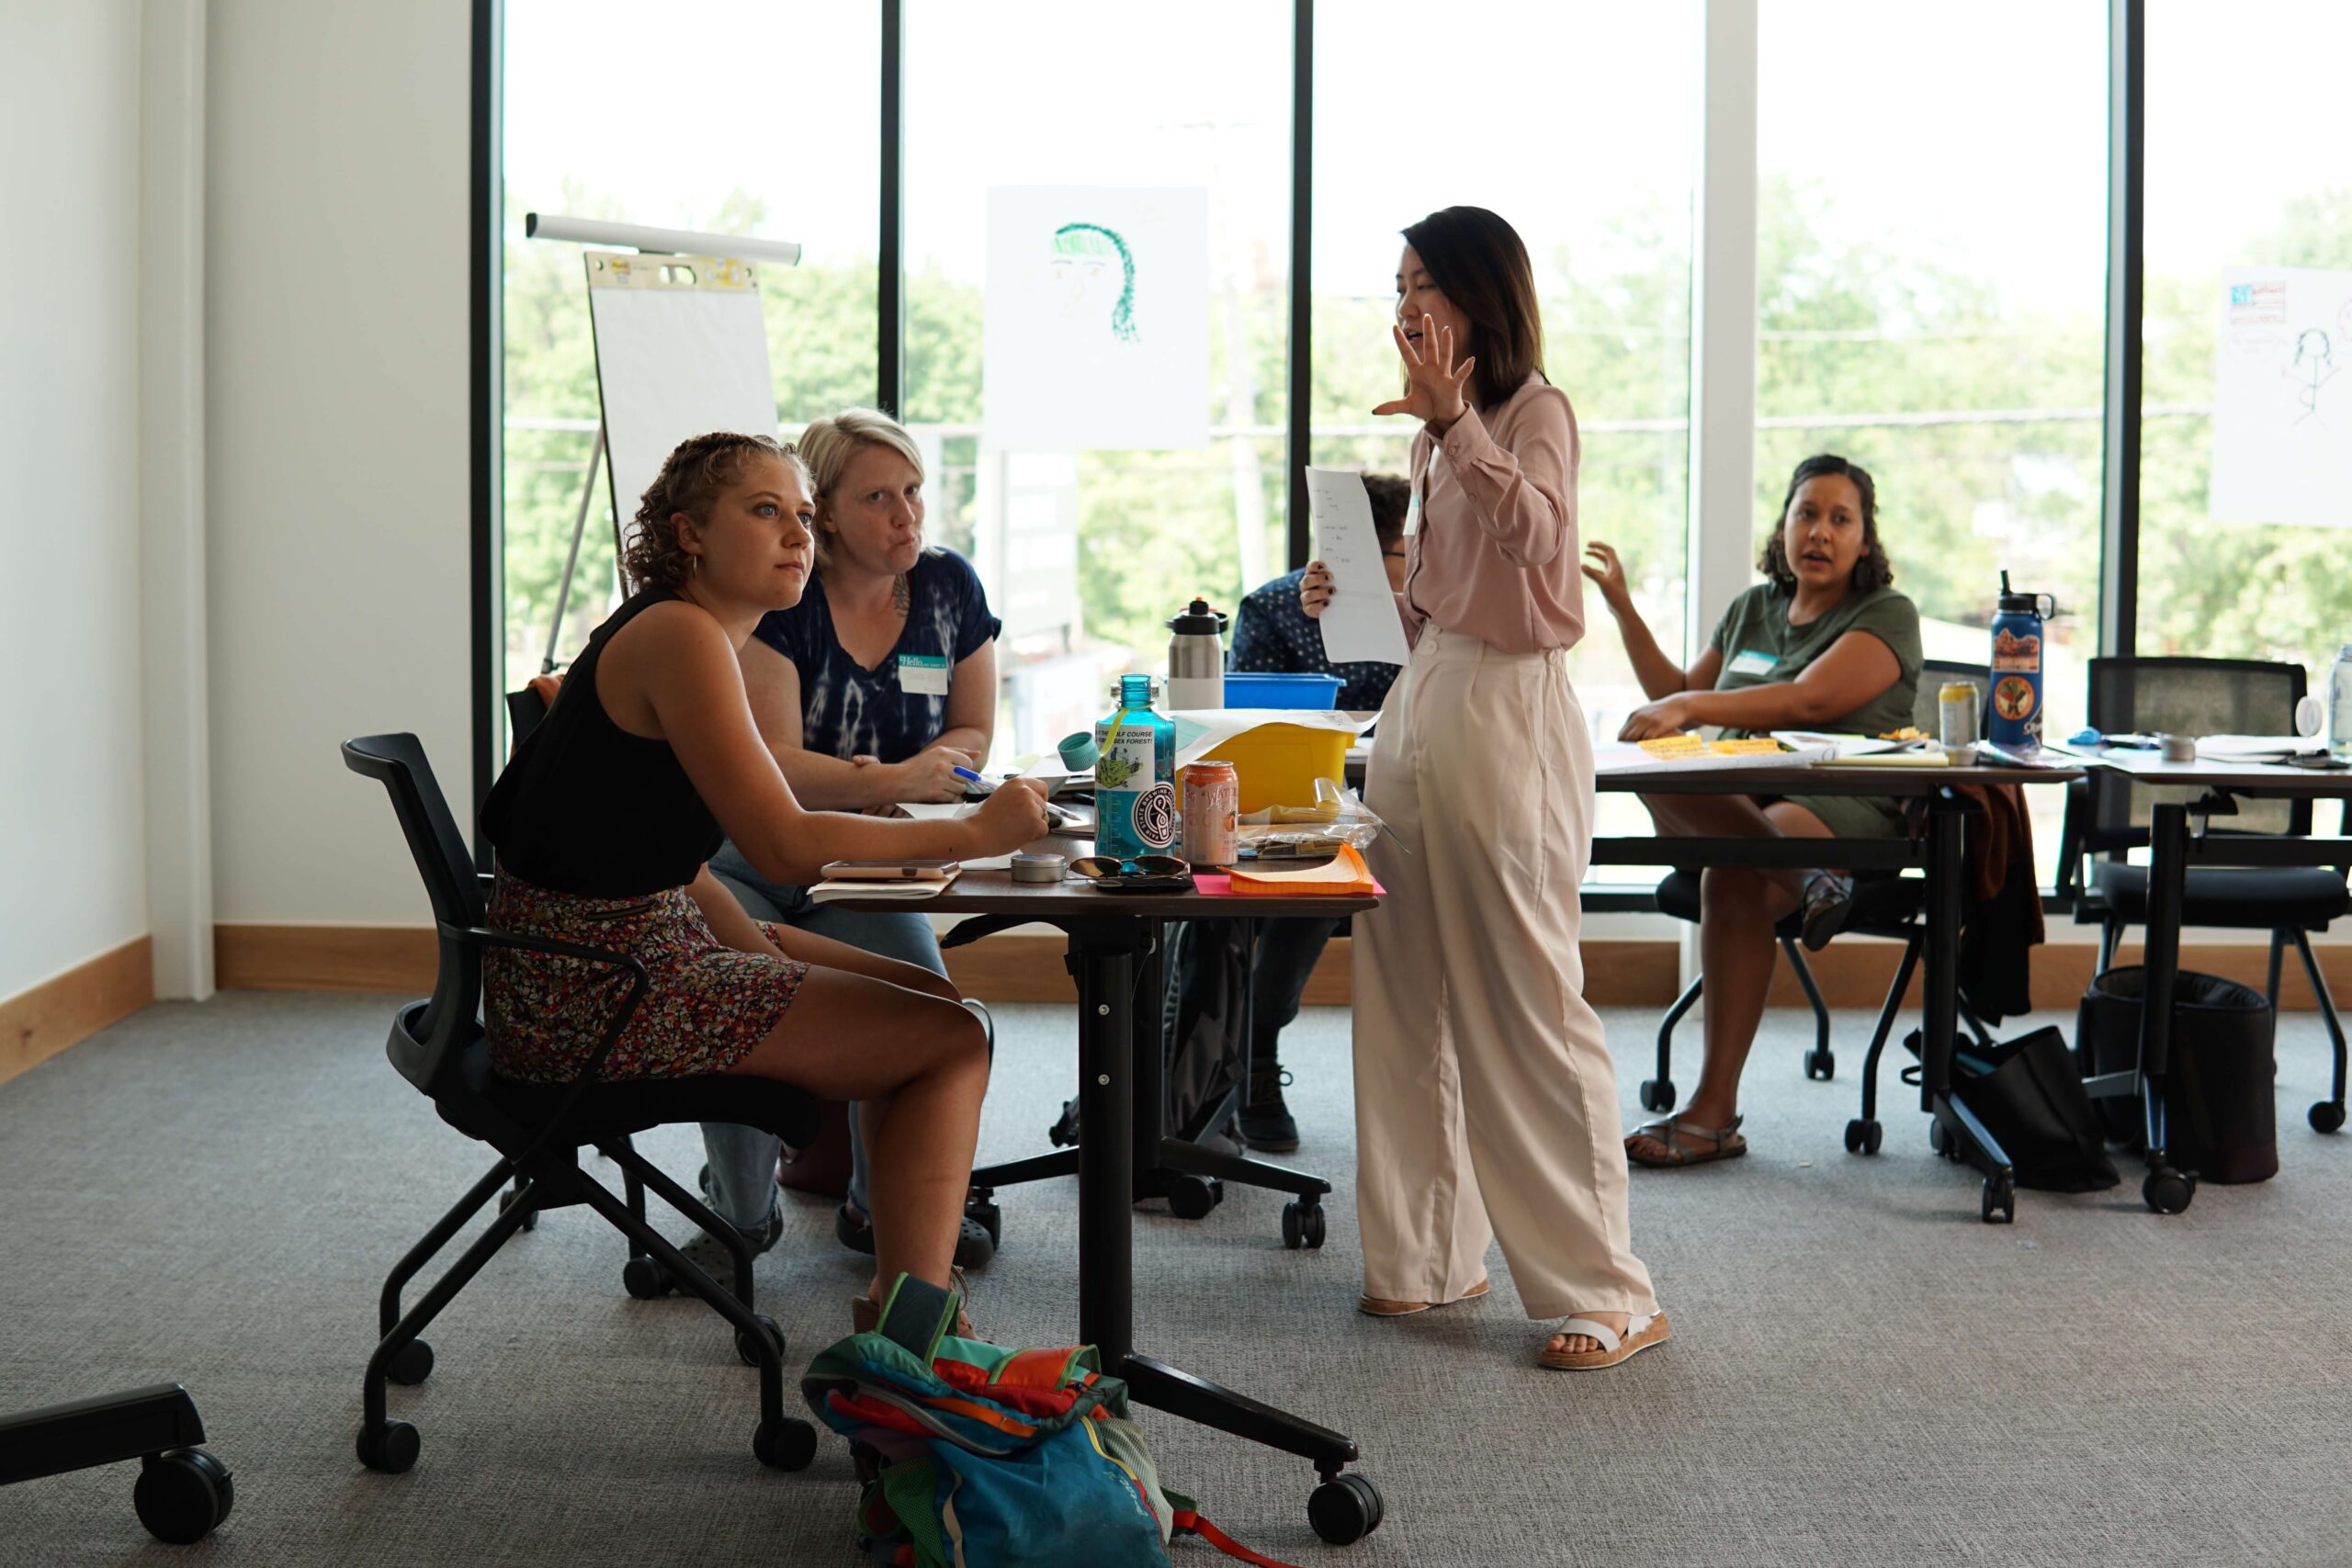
<point>2106,817</point>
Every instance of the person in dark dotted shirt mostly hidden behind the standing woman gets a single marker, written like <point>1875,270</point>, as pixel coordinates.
<point>1276,636</point>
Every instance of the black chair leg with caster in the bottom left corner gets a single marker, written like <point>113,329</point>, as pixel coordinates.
<point>182,1492</point>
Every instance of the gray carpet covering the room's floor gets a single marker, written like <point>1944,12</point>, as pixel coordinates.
<point>1862,1374</point>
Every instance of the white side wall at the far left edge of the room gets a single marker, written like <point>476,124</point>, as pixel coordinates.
<point>72,833</point>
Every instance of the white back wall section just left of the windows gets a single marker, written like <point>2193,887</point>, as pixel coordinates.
<point>338,462</point>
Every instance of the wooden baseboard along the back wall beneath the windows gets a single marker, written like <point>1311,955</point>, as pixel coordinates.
<point>1029,967</point>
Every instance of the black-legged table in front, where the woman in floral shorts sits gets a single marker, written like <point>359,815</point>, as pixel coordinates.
<point>1123,1146</point>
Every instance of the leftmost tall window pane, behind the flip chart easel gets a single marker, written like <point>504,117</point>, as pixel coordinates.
<point>759,119</point>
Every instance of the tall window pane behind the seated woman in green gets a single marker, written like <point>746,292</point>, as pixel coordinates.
<point>1932,302</point>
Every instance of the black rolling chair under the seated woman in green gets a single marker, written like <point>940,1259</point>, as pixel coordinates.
<point>1883,906</point>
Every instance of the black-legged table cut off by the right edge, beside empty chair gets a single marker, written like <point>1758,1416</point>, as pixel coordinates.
<point>2186,798</point>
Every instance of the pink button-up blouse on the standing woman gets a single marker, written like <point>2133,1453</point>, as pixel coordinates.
<point>1497,547</point>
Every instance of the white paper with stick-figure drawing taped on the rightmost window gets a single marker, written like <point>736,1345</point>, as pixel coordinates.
<point>2283,398</point>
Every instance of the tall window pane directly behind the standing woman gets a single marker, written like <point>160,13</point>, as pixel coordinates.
<point>1591,159</point>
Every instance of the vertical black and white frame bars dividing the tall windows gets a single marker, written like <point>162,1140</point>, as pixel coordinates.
<point>1723,335</point>
